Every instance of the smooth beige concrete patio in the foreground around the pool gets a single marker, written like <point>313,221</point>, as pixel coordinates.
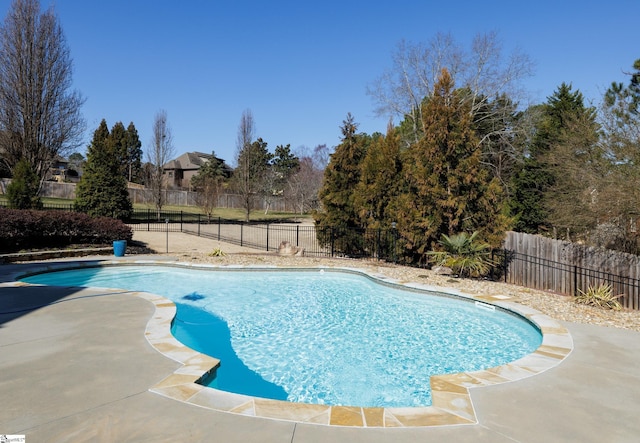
<point>76,366</point>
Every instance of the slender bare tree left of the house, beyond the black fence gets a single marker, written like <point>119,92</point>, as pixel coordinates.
<point>159,154</point>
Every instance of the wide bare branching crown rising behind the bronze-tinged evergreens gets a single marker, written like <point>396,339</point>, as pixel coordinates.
<point>482,72</point>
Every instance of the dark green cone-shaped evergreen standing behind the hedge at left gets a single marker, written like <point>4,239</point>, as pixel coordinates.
<point>102,191</point>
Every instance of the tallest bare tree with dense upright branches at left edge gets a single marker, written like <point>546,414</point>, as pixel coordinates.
<point>39,114</point>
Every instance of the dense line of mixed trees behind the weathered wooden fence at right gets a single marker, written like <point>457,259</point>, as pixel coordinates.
<point>466,159</point>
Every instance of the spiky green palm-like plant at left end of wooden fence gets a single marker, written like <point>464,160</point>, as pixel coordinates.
<point>464,254</point>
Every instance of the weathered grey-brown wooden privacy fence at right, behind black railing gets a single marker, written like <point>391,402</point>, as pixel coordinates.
<point>553,265</point>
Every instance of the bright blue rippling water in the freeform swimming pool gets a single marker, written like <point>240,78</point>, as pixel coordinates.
<point>321,337</point>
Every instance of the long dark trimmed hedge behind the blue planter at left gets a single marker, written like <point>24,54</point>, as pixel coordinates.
<point>30,229</point>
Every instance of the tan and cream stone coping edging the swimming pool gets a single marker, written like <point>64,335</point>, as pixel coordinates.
<point>451,401</point>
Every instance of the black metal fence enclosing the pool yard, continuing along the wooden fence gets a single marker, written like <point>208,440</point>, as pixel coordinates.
<point>512,266</point>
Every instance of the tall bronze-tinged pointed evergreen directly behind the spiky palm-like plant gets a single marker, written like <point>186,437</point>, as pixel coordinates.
<point>447,189</point>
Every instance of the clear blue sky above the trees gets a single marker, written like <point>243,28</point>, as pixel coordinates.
<point>301,66</point>
